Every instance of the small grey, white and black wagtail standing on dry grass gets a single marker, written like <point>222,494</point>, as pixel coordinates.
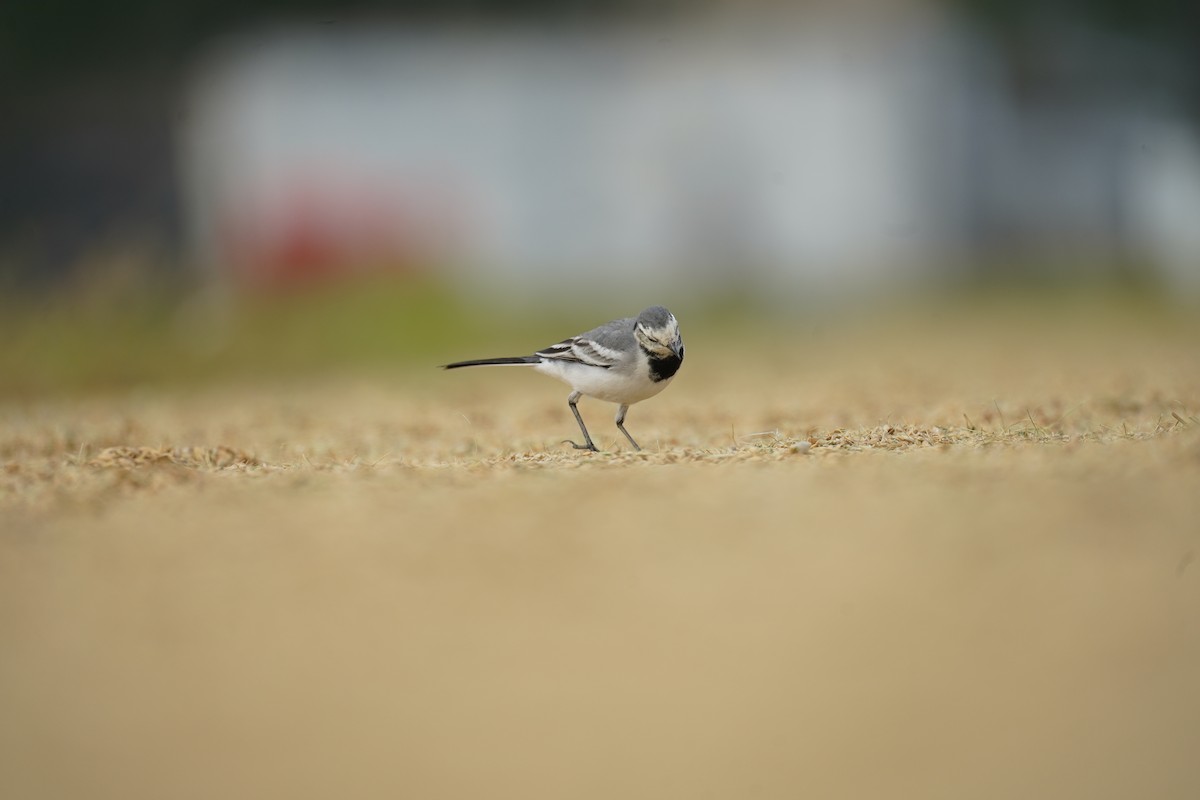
<point>625,362</point>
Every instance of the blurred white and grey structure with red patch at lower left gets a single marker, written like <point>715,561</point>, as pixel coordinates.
<point>779,158</point>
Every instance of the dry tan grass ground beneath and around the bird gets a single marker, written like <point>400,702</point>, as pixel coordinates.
<point>946,560</point>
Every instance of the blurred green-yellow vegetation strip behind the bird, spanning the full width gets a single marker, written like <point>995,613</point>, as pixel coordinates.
<point>122,334</point>
